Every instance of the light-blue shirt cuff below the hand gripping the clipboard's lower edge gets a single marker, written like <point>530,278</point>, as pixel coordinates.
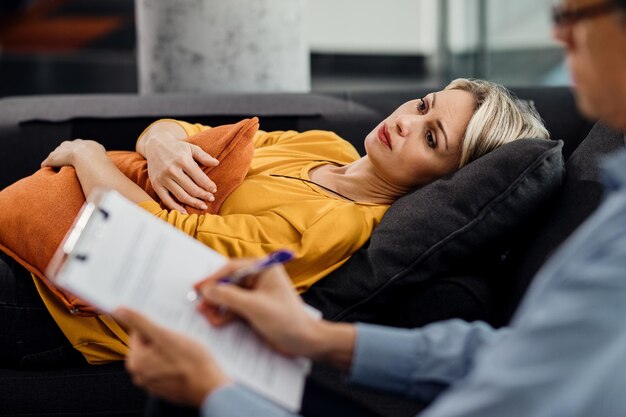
<point>237,401</point>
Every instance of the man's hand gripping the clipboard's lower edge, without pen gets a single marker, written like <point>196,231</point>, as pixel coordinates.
<point>168,364</point>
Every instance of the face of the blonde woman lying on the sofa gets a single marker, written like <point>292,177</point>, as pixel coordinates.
<point>421,140</point>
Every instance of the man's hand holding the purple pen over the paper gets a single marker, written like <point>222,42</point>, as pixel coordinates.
<point>269,304</point>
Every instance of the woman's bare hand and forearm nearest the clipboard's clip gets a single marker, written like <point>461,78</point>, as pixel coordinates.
<point>94,169</point>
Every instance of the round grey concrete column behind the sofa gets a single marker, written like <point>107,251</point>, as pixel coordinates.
<point>201,46</point>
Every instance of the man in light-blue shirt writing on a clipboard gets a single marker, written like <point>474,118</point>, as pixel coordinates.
<point>564,353</point>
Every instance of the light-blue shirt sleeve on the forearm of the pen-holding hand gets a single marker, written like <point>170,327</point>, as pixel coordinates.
<point>418,363</point>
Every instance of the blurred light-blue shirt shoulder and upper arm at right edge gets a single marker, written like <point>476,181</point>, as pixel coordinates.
<point>564,355</point>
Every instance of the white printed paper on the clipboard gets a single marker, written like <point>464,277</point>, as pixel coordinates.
<point>126,257</point>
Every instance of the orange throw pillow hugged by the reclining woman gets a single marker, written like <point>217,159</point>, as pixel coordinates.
<point>37,211</point>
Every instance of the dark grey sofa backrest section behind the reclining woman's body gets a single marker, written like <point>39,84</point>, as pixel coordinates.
<point>31,127</point>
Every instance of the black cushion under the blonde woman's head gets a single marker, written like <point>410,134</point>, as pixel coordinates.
<point>456,226</point>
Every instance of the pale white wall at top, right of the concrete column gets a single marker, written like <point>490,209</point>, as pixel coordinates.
<point>410,26</point>
